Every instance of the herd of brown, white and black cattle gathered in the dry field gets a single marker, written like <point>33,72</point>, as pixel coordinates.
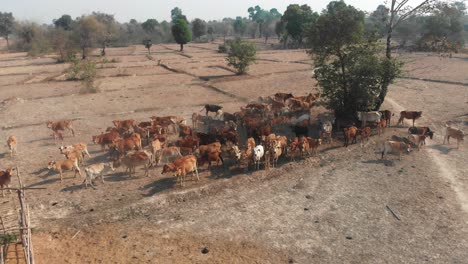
<point>213,138</point>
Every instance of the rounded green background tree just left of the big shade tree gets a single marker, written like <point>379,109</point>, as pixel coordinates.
<point>296,19</point>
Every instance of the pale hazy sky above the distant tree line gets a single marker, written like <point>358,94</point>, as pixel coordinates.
<point>43,11</point>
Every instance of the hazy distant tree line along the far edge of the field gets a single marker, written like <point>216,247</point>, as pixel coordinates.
<point>443,25</point>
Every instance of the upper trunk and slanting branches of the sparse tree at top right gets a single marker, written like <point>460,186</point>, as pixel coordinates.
<point>401,11</point>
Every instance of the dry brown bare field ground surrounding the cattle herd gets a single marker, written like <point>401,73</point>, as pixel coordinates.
<point>329,209</point>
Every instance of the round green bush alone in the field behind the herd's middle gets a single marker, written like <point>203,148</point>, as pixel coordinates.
<point>241,54</point>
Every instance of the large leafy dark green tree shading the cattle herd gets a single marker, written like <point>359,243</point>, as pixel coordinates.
<point>348,67</point>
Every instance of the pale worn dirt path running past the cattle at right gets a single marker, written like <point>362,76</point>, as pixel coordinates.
<point>446,171</point>
